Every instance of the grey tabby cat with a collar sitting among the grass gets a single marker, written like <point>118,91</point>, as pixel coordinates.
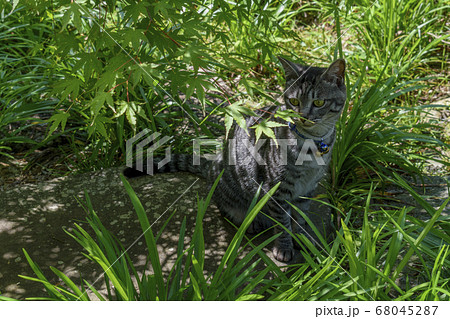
<point>318,95</point>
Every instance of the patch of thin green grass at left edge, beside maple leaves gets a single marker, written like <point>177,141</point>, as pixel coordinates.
<point>24,79</point>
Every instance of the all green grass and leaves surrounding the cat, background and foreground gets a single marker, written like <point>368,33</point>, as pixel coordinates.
<point>394,74</point>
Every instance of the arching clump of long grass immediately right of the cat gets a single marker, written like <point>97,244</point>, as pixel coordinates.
<point>377,137</point>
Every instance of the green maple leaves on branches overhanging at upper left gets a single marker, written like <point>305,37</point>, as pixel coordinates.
<point>118,61</point>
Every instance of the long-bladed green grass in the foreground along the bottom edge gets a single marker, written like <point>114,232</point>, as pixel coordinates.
<point>370,263</point>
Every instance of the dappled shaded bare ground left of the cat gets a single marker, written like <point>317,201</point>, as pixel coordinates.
<point>34,217</point>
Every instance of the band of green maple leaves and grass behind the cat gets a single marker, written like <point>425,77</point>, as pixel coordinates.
<point>107,70</point>
